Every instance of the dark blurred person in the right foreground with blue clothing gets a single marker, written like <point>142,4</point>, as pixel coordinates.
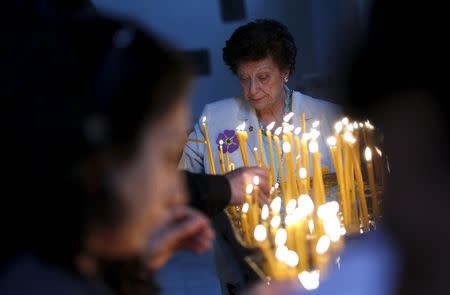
<point>399,79</point>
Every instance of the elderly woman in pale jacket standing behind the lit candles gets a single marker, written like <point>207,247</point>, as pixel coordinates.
<point>262,55</point>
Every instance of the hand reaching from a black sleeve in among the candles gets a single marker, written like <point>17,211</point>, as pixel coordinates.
<point>239,179</point>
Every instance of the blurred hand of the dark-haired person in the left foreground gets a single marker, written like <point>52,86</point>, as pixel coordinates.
<point>186,229</point>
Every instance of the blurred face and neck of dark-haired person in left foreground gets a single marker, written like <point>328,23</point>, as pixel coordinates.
<point>149,184</point>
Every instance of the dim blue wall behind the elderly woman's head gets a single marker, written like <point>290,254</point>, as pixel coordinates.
<point>323,30</point>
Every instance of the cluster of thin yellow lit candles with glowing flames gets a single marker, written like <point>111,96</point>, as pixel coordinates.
<point>299,231</point>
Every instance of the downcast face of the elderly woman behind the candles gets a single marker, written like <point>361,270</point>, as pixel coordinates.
<point>262,82</point>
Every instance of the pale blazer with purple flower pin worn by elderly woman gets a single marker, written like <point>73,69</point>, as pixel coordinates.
<point>227,114</point>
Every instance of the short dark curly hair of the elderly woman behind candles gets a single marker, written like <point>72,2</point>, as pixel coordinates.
<point>260,39</point>
